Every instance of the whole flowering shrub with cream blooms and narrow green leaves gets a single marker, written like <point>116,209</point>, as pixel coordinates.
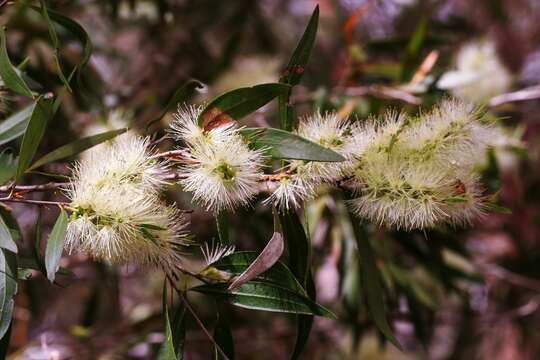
<point>405,170</point>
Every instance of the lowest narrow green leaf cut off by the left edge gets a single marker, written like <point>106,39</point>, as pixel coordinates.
<point>8,288</point>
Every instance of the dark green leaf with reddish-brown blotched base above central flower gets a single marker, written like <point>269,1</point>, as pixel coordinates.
<point>238,103</point>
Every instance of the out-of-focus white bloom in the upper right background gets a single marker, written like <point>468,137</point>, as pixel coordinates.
<point>479,74</point>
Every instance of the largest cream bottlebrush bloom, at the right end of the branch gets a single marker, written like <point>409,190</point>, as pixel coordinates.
<point>419,172</point>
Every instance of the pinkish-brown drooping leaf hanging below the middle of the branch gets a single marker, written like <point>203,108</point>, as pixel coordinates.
<point>266,259</point>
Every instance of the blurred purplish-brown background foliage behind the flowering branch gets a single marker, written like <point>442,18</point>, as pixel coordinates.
<point>451,294</point>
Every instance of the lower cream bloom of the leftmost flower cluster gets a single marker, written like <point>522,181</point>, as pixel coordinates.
<point>122,226</point>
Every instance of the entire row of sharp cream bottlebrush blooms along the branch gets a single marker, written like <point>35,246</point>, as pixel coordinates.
<point>402,171</point>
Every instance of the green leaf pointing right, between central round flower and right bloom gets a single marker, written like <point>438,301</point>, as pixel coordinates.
<point>281,144</point>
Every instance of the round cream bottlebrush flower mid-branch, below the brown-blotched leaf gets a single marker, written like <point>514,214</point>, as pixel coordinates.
<point>222,171</point>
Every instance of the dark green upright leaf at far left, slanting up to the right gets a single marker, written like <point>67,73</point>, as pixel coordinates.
<point>35,130</point>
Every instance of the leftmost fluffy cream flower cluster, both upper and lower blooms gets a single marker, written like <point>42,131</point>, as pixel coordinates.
<point>117,211</point>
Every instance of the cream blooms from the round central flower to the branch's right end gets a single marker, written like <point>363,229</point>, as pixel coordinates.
<point>406,172</point>
